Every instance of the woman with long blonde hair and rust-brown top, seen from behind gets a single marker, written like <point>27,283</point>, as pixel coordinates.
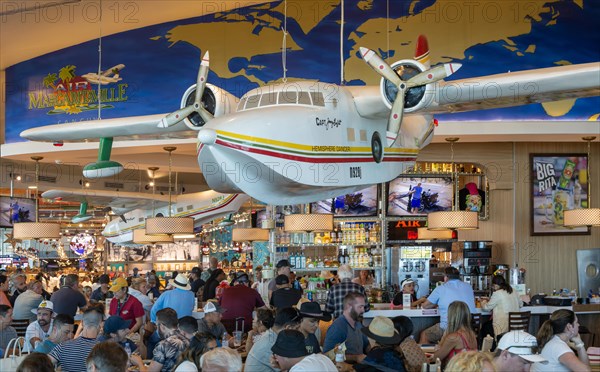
<point>459,335</point>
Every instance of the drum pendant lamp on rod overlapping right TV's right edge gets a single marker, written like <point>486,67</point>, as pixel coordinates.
<point>454,219</point>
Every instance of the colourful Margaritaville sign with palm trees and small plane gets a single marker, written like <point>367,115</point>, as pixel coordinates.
<point>69,93</point>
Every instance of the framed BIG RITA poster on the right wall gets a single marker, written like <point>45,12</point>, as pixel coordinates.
<point>559,182</point>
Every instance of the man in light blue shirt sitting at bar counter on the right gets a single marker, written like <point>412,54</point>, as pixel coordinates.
<point>452,290</point>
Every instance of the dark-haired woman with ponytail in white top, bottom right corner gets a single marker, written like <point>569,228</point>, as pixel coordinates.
<point>552,340</point>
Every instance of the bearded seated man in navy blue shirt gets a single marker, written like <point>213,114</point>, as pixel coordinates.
<point>346,328</point>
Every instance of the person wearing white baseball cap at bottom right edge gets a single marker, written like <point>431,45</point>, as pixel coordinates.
<point>515,352</point>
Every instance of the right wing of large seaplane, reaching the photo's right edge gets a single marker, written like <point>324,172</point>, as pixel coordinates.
<point>516,88</point>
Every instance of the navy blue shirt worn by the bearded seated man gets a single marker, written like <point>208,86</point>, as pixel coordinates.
<point>340,331</point>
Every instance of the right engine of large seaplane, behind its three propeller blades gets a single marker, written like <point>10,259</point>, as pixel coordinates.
<point>416,97</point>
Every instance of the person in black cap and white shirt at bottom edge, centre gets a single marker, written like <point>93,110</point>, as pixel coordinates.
<point>289,354</point>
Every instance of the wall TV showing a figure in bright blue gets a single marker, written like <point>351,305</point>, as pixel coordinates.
<point>435,193</point>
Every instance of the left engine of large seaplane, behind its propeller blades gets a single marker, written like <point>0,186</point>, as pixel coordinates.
<point>215,100</point>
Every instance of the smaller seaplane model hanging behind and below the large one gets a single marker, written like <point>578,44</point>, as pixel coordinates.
<point>133,208</point>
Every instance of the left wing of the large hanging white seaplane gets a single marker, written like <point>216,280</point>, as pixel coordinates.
<point>130,128</point>
